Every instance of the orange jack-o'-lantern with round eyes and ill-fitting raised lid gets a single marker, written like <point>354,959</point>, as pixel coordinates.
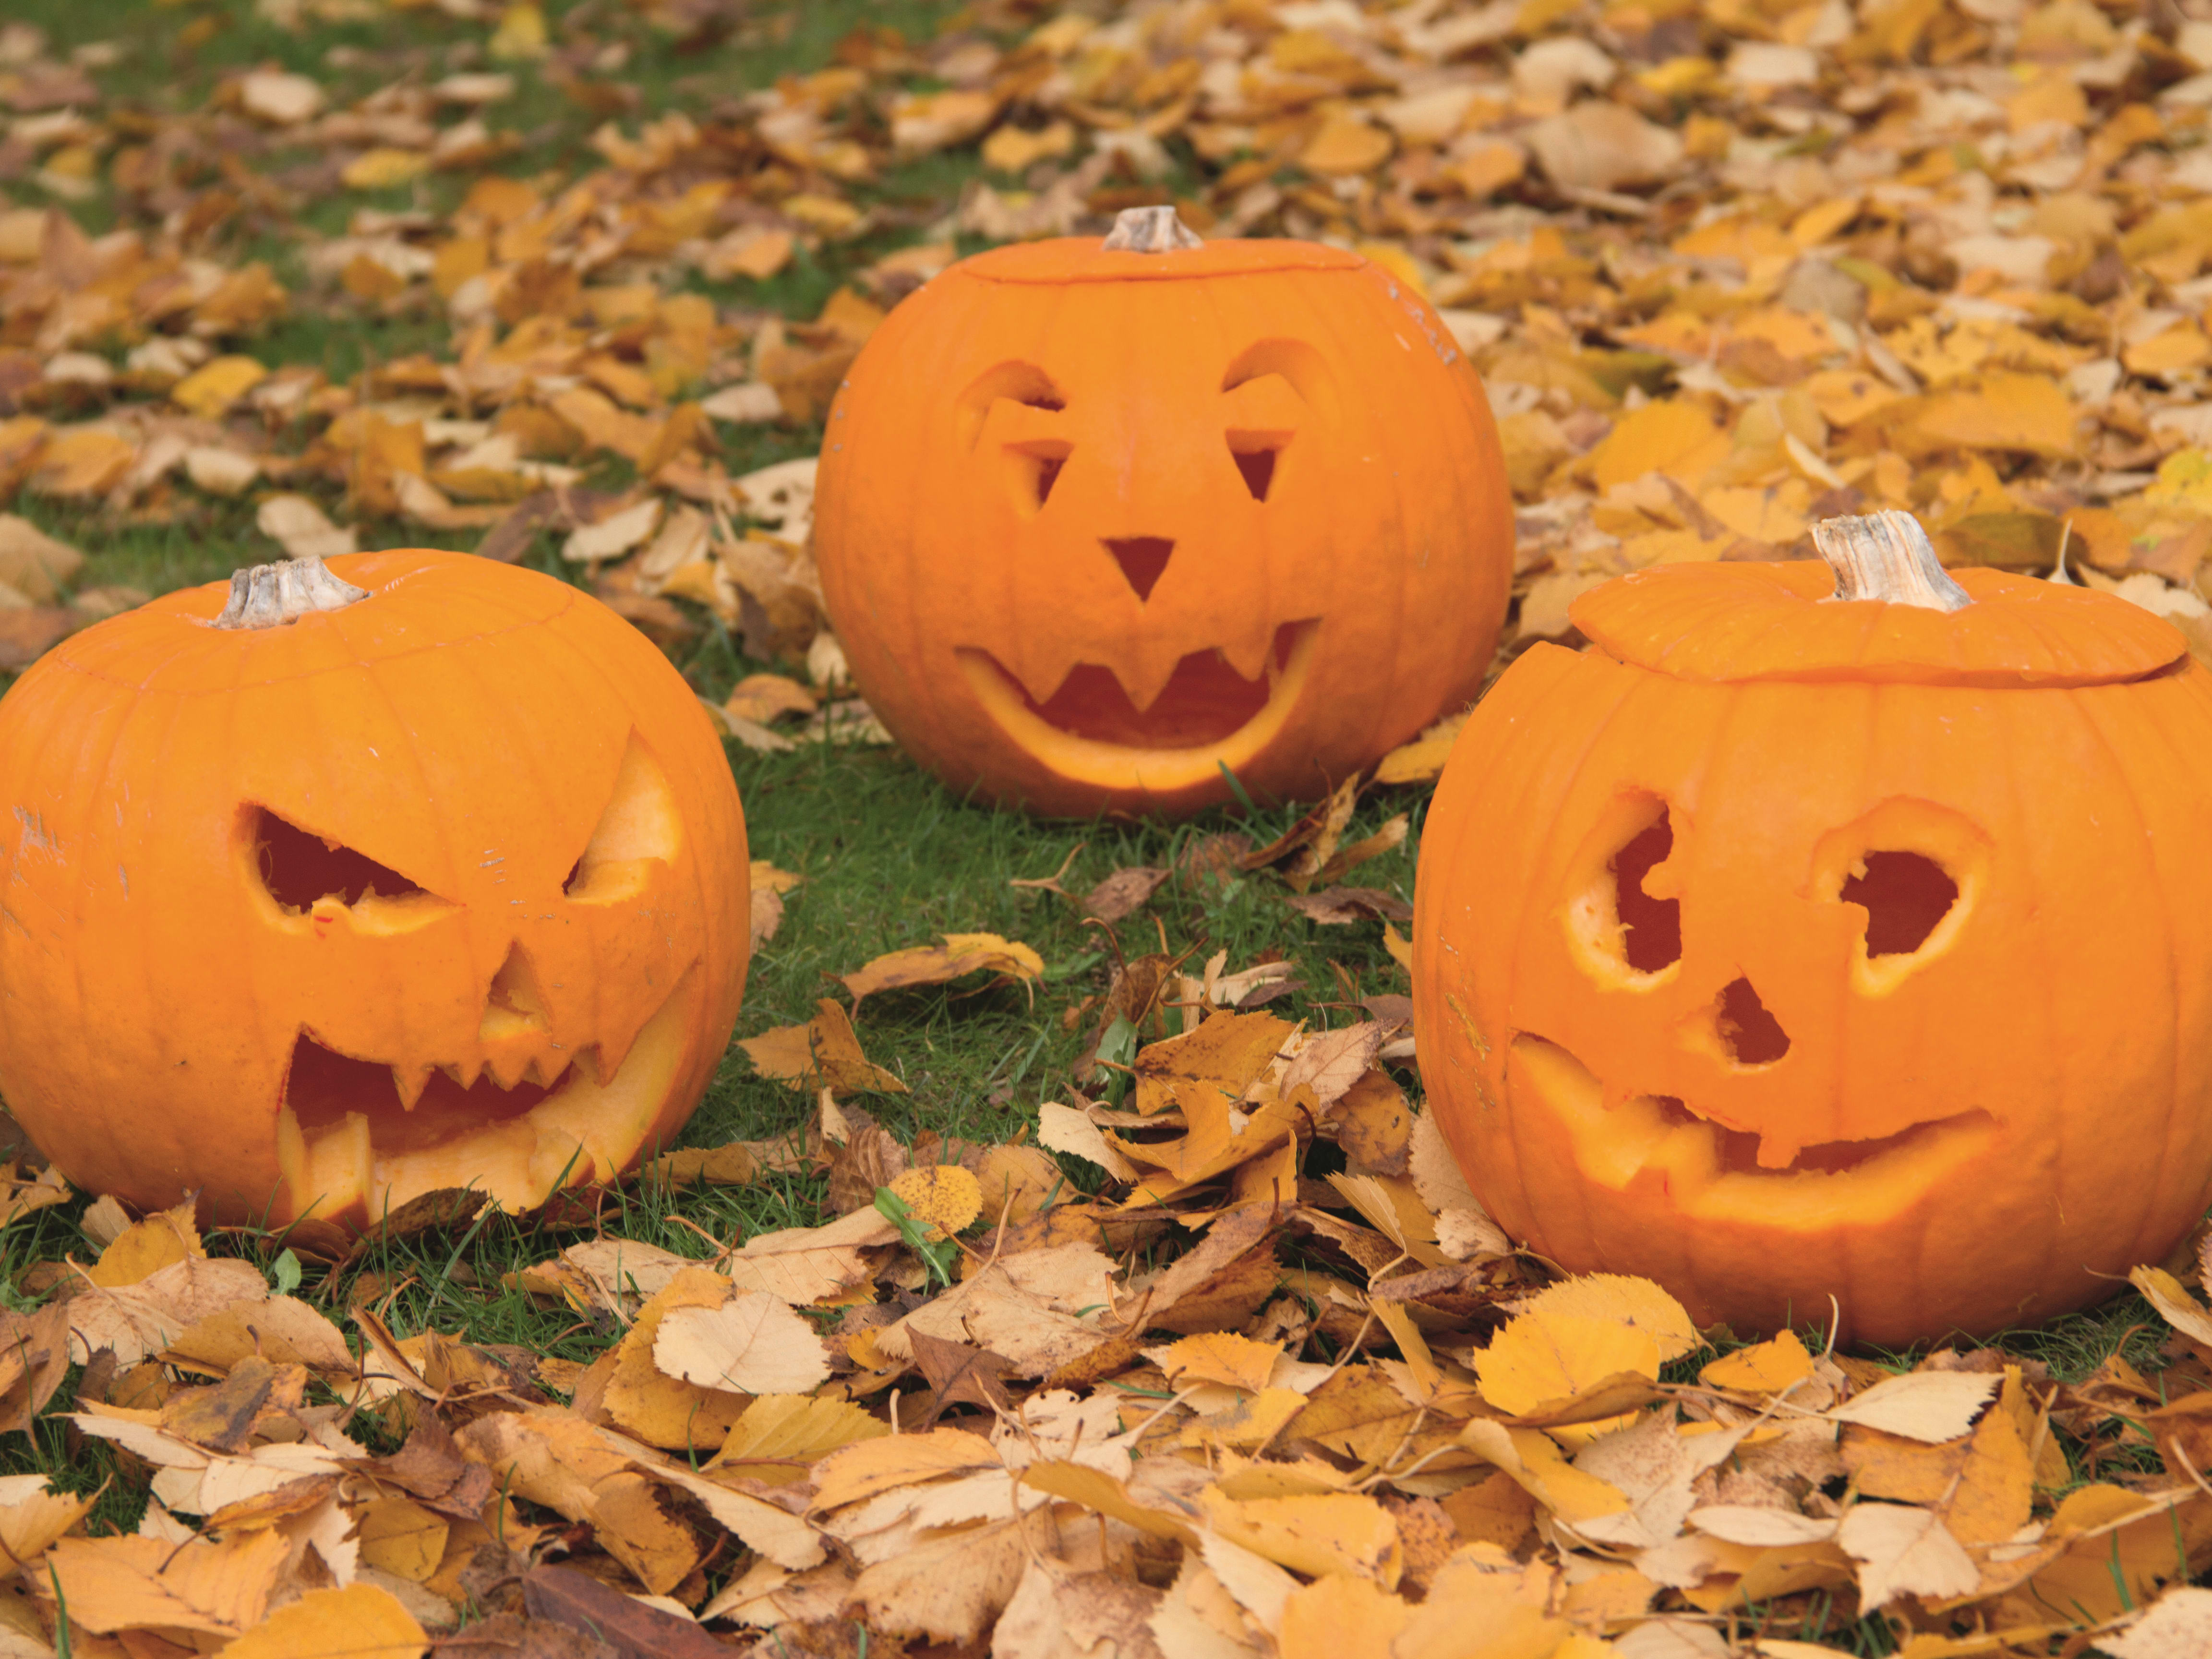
<point>1833,935</point>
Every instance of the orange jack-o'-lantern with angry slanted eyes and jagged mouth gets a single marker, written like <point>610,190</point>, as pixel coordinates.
<point>401,875</point>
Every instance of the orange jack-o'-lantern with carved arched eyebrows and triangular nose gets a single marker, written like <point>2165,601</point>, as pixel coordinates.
<point>1098,521</point>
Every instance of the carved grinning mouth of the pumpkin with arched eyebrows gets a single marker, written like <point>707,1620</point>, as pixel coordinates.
<point>1204,718</point>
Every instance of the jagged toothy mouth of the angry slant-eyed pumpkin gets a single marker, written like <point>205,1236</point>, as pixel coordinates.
<point>357,1136</point>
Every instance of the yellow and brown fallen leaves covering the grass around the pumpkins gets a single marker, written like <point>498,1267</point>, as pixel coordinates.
<point>1227,1359</point>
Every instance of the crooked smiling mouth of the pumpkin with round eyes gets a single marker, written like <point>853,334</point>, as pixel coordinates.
<point>1711,1167</point>
